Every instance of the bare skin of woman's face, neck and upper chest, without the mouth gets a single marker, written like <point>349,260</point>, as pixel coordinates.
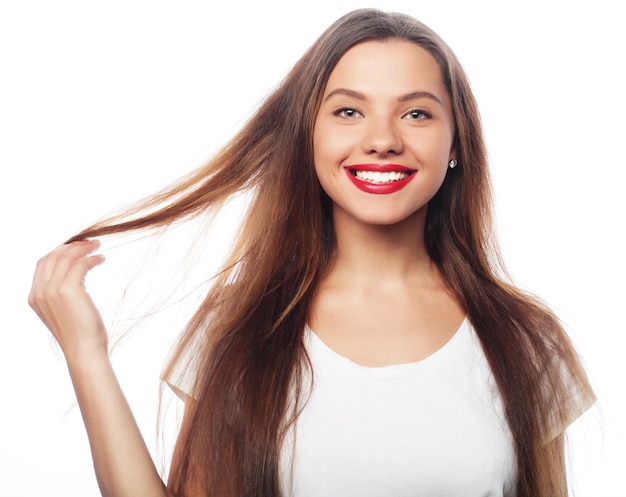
<point>385,102</point>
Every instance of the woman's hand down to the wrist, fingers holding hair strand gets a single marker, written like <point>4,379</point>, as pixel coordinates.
<point>59,297</point>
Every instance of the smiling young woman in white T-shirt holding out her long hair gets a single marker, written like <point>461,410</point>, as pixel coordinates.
<point>362,339</point>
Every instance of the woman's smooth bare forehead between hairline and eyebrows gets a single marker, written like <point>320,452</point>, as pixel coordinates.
<point>391,67</point>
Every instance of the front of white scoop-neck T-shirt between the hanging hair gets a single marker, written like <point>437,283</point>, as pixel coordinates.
<point>433,428</point>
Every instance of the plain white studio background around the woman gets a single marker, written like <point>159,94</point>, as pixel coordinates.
<point>102,103</point>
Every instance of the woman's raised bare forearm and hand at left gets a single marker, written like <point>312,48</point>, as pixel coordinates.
<point>121,459</point>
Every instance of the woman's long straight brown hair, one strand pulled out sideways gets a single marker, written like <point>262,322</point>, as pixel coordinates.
<point>250,325</point>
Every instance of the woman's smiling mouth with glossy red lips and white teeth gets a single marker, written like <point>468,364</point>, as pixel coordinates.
<point>379,179</point>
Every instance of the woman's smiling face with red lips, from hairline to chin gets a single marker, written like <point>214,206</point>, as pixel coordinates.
<point>383,135</point>
